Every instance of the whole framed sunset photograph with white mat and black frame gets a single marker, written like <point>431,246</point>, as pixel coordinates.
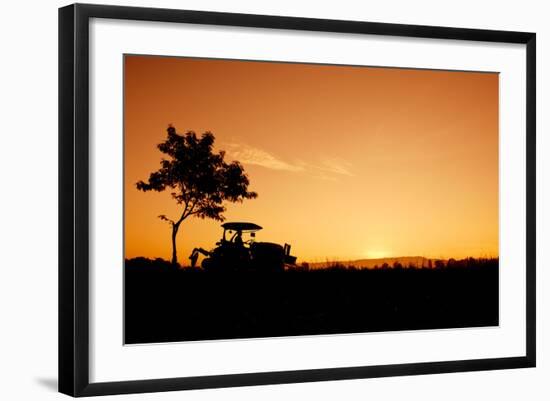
<point>250,199</point>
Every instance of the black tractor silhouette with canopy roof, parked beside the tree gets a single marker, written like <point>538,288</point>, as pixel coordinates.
<point>233,253</point>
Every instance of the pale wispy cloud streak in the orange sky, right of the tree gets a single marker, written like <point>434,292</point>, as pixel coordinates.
<point>327,168</point>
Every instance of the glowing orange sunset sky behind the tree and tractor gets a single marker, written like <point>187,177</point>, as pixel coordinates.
<point>348,162</point>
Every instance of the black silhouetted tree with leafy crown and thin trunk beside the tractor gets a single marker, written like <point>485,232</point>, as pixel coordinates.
<point>199,179</point>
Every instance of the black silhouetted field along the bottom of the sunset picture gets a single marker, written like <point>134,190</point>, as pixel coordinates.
<point>165,304</point>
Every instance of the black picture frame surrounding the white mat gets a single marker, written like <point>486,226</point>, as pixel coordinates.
<point>74,201</point>
